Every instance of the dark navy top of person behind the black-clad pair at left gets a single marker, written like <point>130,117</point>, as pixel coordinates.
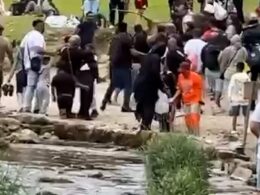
<point>86,32</point>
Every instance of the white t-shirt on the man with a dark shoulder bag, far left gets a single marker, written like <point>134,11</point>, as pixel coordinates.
<point>33,42</point>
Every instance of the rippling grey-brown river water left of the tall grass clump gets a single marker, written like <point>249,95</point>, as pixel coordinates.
<point>78,169</point>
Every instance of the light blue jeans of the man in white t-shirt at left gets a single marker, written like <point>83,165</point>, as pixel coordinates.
<point>32,80</point>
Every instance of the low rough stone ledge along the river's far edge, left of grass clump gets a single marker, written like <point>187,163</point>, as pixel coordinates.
<point>30,128</point>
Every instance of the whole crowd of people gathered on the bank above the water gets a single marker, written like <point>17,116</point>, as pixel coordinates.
<point>173,62</point>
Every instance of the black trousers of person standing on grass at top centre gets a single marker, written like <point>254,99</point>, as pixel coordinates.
<point>113,5</point>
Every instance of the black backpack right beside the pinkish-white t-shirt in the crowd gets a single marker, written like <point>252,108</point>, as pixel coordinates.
<point>209,57</point>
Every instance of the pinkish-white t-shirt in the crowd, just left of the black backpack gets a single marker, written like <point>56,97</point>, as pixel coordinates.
<point>194,47</point>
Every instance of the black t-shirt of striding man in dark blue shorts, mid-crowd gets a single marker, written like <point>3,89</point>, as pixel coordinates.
<point>120,51</point>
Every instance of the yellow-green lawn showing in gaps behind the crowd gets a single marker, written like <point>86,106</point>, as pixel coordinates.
<point>16,27</point>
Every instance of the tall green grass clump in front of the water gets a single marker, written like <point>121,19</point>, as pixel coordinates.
<point>176,165</point>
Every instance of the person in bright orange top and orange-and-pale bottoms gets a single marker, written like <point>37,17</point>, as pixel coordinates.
<point>190,87</point>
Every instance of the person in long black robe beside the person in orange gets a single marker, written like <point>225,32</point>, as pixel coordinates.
<point>147,84</point>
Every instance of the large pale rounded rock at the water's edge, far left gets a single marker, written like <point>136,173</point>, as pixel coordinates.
<point>24,136</point>
